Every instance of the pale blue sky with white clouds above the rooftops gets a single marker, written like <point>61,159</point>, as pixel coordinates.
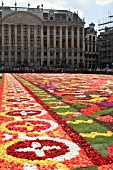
<point>96,11</point>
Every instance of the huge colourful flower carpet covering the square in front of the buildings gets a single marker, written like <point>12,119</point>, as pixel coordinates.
<point>56,122</point>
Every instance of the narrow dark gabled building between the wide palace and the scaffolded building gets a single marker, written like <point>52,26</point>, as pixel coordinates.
<point>91,47</point>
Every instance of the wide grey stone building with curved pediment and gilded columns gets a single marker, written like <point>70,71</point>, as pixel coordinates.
<point>38,37</point>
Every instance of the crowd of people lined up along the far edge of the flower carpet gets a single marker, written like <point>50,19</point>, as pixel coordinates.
<point>55,70</point>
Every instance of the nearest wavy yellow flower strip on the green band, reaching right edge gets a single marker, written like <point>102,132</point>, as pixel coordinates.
<point>94,134</point>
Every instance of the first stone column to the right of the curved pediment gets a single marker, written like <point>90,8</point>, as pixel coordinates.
<point>48,46</point>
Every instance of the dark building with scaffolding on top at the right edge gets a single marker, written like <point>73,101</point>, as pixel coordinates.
<point>106,42</point>
